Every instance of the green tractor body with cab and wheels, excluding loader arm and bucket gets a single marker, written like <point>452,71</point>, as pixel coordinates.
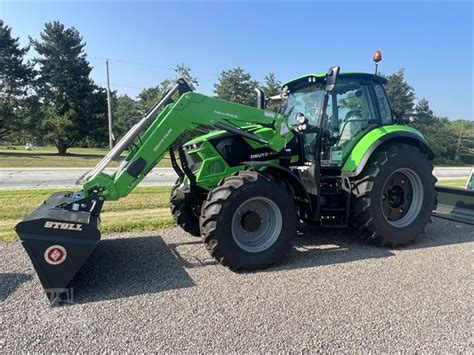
<point>346,163</point>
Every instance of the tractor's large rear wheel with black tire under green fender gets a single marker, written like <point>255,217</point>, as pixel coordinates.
<point>394,196</point>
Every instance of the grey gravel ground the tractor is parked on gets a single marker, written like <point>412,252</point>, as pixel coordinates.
<point>161,292</point>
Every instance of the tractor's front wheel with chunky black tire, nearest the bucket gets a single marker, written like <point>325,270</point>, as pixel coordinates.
<point>248,221</point>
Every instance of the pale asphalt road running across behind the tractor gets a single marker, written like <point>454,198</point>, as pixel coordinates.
<point>18,178</point>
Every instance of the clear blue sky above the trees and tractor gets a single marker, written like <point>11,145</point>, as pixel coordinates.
<point>433,41</point>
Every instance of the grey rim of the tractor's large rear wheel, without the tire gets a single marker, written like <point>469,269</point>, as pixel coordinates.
<point>402,197</point>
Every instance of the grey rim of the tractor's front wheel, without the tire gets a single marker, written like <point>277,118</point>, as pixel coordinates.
<point>256,224</point>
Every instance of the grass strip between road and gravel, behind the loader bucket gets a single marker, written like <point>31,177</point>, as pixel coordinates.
<point>147,208</point>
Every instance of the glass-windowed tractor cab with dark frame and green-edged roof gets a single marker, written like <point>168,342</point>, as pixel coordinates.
<point>357,104</point>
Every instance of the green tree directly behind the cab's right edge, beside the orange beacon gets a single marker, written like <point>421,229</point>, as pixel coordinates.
<point>402,95</point>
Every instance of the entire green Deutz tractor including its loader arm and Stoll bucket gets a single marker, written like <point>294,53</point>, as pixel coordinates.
<point>334,156</point>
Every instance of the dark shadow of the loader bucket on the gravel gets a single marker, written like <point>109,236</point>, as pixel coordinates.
<point>126,267</point>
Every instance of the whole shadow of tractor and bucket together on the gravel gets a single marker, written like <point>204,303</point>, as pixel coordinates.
<point>126,267</point>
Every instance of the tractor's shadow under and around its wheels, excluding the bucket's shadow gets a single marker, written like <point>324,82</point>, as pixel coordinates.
<point>315,246</point>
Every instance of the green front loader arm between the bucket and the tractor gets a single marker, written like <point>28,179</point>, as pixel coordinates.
<point>189,112</point>
